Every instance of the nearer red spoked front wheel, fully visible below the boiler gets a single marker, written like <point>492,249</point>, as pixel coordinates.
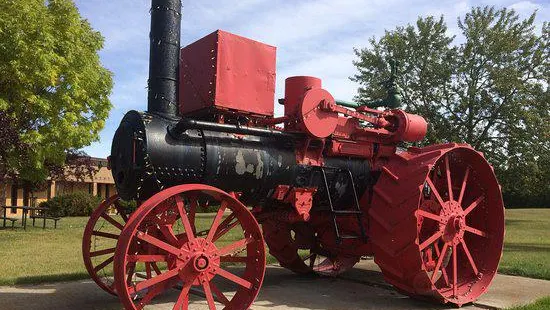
<point>193,261</point>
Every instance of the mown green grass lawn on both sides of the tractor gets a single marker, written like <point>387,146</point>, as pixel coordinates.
<point>37,255</point>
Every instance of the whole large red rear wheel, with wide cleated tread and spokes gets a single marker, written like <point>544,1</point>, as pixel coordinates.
<point>442,236</point>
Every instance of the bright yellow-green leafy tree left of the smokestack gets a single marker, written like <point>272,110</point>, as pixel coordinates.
<point>53,89</point>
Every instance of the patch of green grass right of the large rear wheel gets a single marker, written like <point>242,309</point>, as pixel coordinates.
<point>527,243</point>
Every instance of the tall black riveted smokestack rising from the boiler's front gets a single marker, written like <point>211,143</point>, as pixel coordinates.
<point>164,57</point>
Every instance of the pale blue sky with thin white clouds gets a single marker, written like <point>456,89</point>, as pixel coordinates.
<point>313,38</point>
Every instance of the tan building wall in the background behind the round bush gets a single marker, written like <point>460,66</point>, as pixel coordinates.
<point>102,184</point>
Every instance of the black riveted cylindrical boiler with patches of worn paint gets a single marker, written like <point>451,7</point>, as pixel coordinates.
<point>147,156</point>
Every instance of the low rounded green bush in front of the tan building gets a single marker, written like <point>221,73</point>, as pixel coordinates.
<point>74,204</point>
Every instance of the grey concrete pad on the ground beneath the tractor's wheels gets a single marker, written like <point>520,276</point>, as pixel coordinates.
<point>362,288</point>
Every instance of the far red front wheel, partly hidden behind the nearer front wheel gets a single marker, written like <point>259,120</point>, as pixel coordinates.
<point>99,242</point>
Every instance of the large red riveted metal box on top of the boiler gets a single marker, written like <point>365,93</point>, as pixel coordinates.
<point>224,71</point>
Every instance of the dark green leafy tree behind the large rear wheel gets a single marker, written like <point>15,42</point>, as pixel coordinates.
<point>491,90</point>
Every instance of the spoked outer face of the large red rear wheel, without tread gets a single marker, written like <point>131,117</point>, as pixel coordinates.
<point>460,226</point>
